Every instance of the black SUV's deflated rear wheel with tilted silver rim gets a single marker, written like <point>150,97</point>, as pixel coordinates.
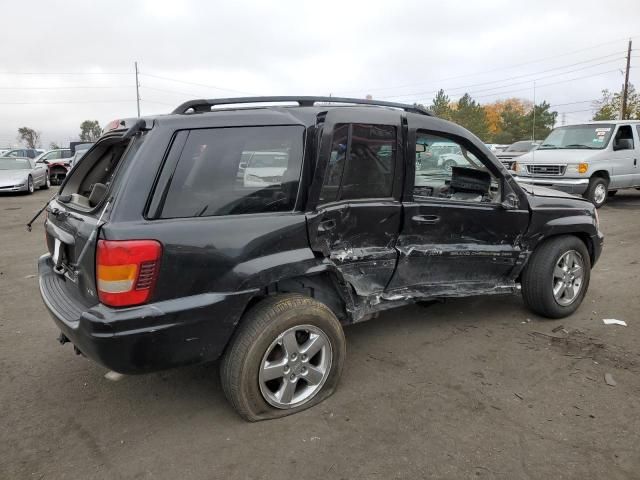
<point>286,356</point>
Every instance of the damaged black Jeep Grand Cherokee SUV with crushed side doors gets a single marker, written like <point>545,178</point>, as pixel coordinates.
<point>253,229</point>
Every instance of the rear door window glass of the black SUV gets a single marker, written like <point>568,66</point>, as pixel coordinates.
<point>361,162</point>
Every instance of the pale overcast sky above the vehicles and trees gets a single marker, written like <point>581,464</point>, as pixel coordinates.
<point>393,50</point>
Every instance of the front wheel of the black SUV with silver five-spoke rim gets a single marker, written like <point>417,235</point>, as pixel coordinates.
<point>556,278</point>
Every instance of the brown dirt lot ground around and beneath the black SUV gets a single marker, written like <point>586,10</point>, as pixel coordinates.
<point>474,388</point>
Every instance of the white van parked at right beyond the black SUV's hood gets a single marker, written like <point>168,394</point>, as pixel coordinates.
<point>593,159</point>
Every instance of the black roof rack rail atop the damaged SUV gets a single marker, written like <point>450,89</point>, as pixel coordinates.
<point>205,105</point>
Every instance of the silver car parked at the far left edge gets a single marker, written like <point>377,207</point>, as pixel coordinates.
<point>19,174</point>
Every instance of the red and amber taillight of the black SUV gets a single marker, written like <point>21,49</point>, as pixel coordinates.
<point>126,271</point>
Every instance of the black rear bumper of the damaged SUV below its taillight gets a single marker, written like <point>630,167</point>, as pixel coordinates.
<point>146,338</point>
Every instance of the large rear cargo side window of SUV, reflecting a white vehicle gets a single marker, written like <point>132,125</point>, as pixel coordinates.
<point>240,170</point>
